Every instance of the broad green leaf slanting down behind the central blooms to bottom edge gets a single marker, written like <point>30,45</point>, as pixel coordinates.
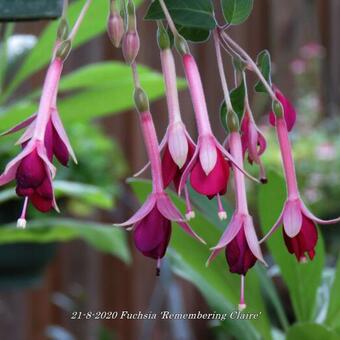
<point>217,284</point>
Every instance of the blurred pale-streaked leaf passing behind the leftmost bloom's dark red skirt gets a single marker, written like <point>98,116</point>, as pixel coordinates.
<point>89,194</point>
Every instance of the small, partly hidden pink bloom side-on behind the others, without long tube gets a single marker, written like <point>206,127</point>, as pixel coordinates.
<point>253,142</point>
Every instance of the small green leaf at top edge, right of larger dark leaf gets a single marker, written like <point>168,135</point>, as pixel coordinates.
<point>237,11</point>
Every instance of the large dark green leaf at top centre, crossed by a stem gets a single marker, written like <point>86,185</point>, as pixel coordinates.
<point>194,19</point>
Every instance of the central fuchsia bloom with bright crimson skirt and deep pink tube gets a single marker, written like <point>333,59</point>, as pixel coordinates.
<point>209,167</point>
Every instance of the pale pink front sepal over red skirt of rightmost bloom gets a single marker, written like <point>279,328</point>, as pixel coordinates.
<point>292,218</point>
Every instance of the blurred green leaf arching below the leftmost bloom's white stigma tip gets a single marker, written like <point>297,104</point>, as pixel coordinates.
<point>103,237</point>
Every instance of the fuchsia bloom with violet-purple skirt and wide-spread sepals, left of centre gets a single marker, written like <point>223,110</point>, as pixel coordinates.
<point>152,222</point>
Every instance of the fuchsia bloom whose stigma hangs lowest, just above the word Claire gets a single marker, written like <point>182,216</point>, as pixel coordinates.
<point>239,240</point>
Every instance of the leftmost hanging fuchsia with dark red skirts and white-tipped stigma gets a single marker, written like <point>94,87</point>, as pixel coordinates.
<point>44,137</point>
